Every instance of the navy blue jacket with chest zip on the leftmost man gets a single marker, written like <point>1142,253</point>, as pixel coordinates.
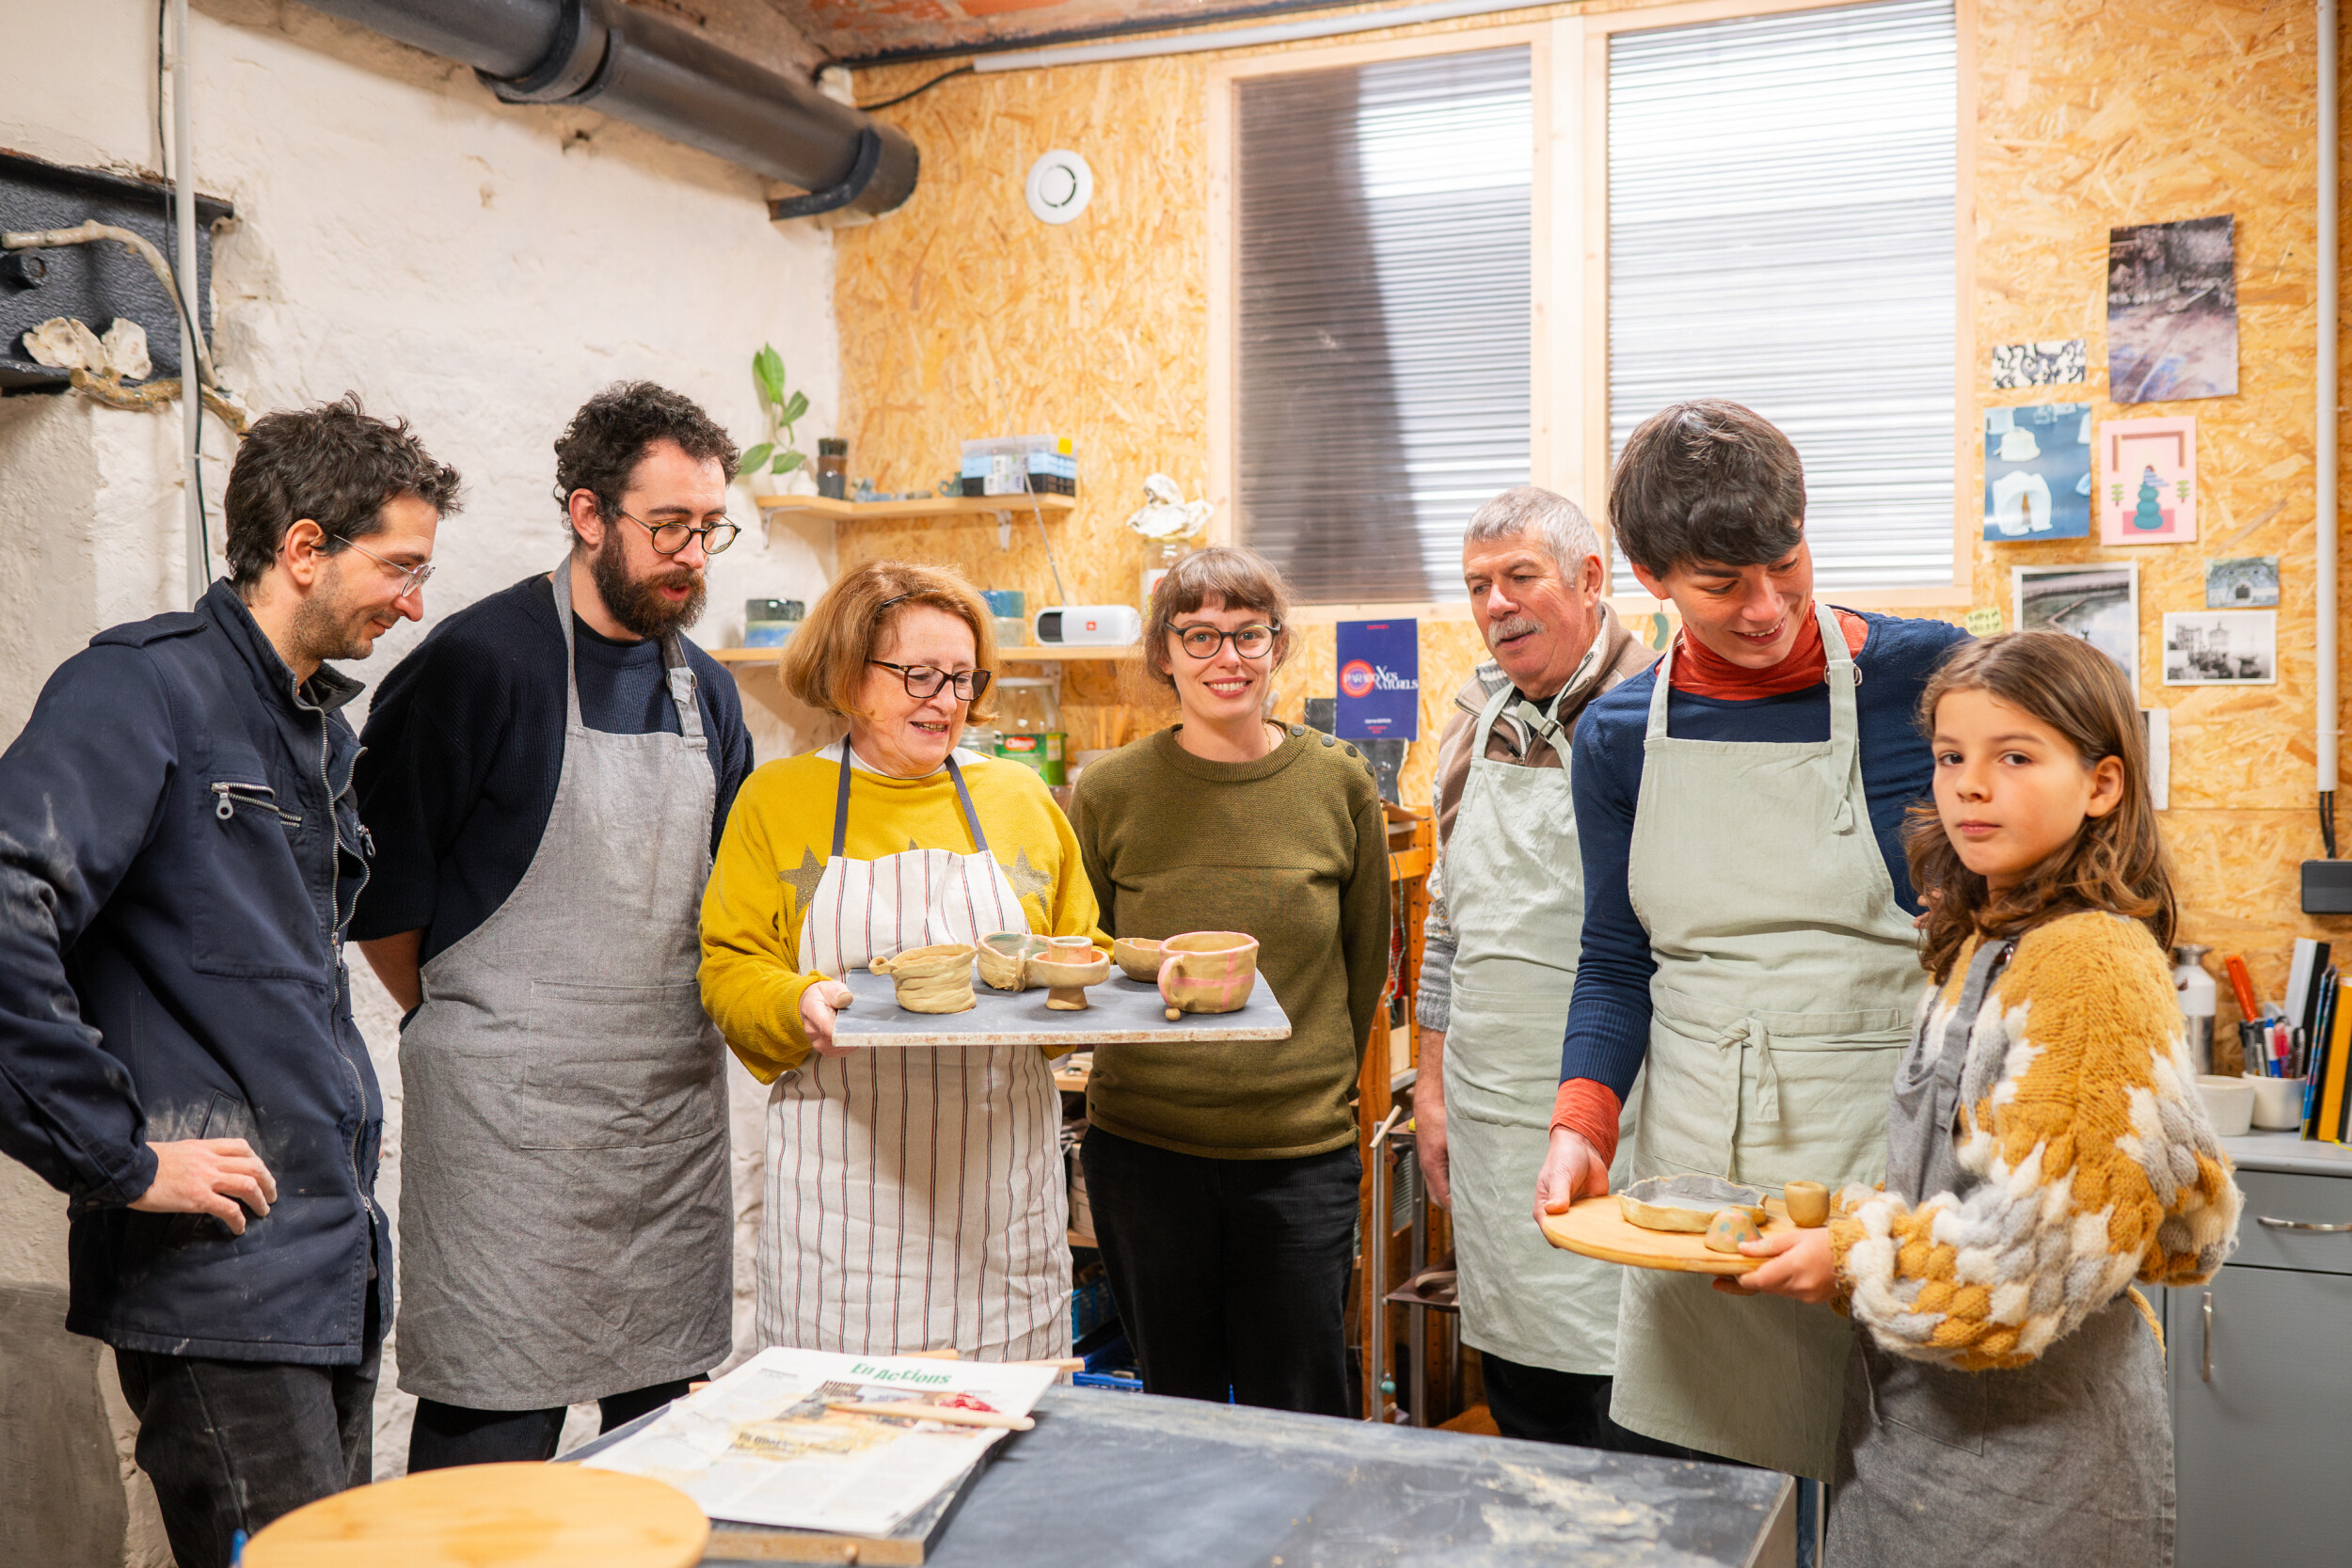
<point>180,855</point>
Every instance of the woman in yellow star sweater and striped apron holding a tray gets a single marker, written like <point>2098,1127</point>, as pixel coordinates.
<point>914,1195</point>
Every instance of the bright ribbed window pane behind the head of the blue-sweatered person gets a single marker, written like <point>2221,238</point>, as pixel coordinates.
<point>1782,232</point>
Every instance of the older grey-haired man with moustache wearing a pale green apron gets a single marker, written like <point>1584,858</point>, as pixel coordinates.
<point>1504,934</point>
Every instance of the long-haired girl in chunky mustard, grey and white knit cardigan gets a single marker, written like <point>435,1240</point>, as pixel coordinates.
<point>2045,1148</point>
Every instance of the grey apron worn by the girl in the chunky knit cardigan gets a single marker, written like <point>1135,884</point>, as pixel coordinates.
<point>2062,1461</point>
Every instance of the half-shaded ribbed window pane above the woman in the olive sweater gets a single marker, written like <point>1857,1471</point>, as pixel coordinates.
<point>1384,319</point>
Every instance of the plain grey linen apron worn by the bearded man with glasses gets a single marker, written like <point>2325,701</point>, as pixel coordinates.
<point>566,1217</point>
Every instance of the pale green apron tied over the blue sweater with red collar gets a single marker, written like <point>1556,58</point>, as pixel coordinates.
<point>1779,1012</point>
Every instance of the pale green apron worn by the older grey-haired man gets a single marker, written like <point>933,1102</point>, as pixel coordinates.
<point>1516,894</point>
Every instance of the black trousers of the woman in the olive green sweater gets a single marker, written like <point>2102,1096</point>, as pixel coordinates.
<point>1231,1275</point>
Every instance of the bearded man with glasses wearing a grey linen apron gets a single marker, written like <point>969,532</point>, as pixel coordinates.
<point>547,779</point>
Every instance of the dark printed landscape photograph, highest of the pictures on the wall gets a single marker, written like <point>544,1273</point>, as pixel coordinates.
<point>2172,311</point>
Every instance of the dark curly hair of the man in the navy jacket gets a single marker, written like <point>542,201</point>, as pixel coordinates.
<point>333,464</point>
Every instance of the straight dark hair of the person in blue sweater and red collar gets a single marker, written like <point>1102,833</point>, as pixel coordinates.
<point>1706,481</point>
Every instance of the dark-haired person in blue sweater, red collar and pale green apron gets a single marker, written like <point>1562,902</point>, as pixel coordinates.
<point>1749,939</point>
